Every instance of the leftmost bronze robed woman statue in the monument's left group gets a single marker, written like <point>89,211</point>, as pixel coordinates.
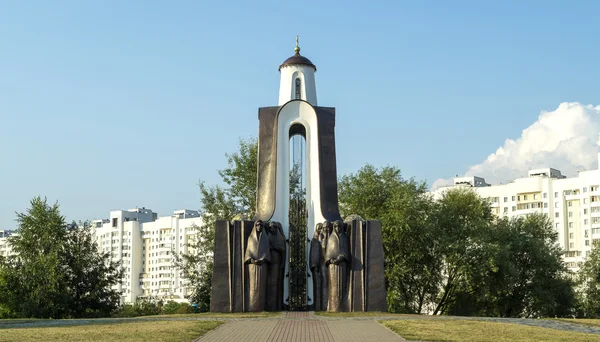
<point>258,256</point>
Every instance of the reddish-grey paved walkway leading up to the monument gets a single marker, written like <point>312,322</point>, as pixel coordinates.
<point>301,326</point>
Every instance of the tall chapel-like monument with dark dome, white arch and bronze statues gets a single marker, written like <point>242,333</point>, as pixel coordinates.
<point>297,254</point>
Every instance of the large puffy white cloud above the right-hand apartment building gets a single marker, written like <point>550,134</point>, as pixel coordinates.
<point>566,139</point>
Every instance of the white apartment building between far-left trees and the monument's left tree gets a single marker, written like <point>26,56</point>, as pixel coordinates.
<point>145,244</point>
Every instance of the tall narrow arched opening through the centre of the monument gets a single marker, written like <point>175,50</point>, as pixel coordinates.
<point>298,217</point>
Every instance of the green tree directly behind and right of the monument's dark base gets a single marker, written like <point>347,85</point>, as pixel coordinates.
<point>412,268</point>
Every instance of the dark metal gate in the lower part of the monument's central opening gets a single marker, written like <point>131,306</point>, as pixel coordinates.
<point>297,243</point>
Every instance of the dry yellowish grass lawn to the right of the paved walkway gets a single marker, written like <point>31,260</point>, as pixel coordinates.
<point>477,331</point>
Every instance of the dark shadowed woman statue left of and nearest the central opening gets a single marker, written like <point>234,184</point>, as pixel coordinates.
<point>277,248</point>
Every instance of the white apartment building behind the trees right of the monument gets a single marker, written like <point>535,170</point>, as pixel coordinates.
<point>572,203</point>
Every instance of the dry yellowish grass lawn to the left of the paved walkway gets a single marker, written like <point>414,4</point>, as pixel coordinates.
<point>168,331</point>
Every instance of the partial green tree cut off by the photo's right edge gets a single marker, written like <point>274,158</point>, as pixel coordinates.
<point>589,285</point>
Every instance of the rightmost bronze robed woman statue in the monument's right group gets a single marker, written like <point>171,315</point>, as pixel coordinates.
<point>336,259</point>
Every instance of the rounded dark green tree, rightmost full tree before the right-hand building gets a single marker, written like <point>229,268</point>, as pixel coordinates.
<point>526,276</point>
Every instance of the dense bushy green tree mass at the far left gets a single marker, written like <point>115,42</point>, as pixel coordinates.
<point>55,270</point>
